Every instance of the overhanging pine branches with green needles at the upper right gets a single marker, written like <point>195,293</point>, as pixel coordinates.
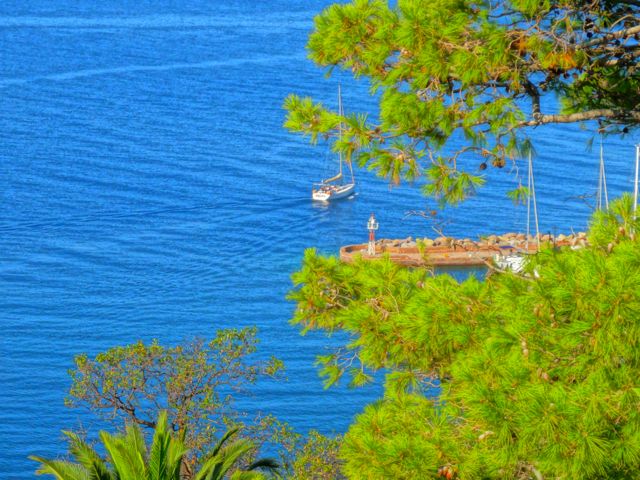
<point>461,82</point>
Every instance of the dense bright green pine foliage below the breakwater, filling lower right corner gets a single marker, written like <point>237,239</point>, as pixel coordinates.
<point>538,374</point>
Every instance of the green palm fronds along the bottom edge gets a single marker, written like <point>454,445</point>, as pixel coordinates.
<point>128,458</point>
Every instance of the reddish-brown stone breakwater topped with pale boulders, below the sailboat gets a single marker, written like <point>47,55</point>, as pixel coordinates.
<point>448,251</point>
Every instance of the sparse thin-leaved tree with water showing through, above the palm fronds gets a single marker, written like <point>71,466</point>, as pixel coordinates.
<point>194,383</point>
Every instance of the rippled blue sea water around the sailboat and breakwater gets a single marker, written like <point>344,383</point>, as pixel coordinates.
<point>148,190</point>
